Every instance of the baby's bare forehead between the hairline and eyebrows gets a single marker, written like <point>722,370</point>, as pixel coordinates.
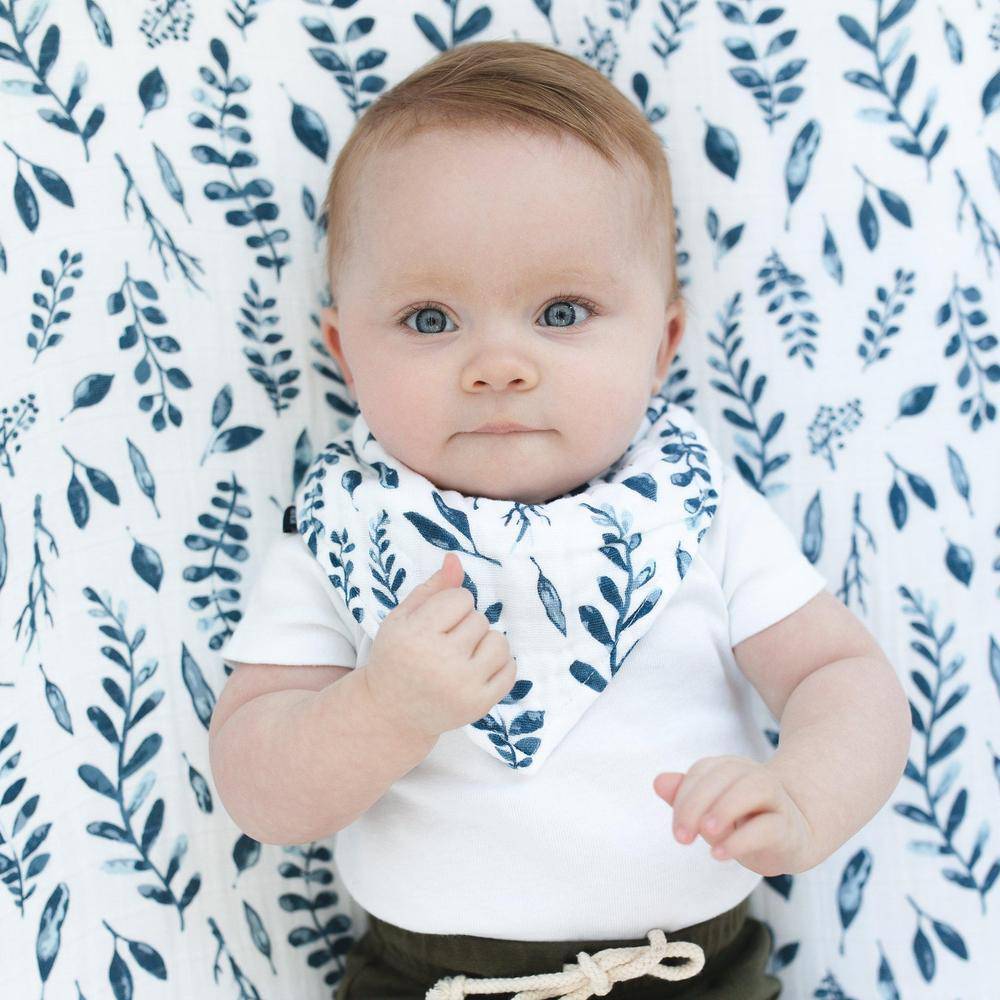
<point>415,219</point>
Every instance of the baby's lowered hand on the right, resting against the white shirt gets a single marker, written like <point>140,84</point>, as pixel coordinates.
<point>741,808</point>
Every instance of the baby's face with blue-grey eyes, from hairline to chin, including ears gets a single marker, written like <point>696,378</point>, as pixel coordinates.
<point>459,305</point>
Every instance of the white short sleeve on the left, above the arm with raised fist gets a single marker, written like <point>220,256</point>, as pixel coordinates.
<point>290,616</point>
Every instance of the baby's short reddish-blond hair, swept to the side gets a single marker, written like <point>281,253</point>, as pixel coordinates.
<point>519,85</point>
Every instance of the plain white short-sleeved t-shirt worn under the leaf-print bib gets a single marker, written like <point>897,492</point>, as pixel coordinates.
<point>584,849</point>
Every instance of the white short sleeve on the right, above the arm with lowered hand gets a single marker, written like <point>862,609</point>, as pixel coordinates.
<point>762,571</point>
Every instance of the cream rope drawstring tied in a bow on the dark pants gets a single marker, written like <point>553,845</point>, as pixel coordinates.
<point>593,975</point>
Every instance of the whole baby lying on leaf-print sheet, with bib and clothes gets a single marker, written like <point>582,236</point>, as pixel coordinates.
<point>501,252</point>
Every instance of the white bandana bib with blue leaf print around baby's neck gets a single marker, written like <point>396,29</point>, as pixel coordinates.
<point>573,583</point>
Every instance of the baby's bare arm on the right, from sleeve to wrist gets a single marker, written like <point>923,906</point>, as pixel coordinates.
<point>845,718</point>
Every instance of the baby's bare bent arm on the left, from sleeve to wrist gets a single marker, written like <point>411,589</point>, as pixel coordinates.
<point>299,752</point>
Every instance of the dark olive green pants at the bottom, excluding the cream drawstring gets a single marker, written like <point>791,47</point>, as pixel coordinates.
<point>391,963</point>
